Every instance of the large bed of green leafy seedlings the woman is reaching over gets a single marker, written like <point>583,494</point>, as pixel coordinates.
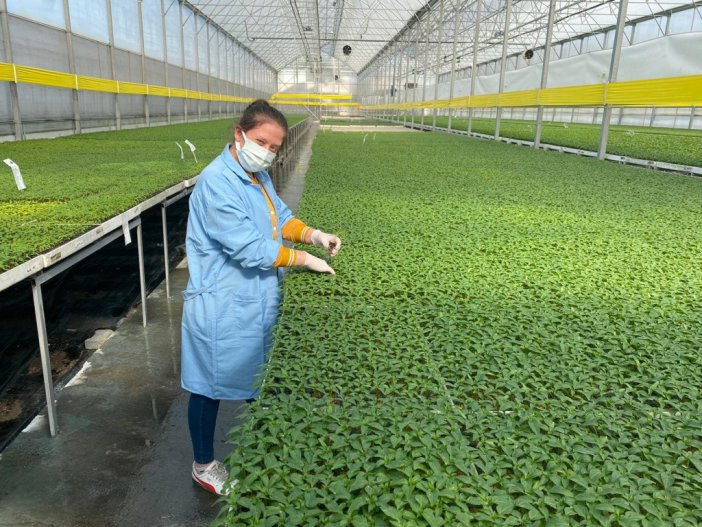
<point>512,338</point>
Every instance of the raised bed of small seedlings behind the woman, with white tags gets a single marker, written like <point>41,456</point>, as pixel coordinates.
<point>75,183</point>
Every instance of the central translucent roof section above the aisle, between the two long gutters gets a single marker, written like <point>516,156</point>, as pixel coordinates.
<point>281,31</point>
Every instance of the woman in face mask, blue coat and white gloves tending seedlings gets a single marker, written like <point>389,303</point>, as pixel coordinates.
<point>235,253</point>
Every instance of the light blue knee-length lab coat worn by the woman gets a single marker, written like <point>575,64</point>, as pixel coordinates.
<point>231,302</point>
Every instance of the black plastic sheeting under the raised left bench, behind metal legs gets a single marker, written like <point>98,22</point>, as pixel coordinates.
<point>94,294</point>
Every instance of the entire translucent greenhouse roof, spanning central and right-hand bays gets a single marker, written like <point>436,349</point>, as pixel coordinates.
<point>282,31</point>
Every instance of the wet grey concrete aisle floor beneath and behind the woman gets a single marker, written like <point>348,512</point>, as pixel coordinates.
<point>123,454</point>
